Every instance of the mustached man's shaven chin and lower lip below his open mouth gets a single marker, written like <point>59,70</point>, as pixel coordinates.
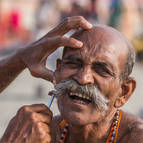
<point>77,114</point>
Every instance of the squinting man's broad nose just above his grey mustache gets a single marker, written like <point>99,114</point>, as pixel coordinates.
<point>84,76</point>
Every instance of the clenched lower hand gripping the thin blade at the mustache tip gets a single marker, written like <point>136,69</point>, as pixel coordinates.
<point>30,125</point>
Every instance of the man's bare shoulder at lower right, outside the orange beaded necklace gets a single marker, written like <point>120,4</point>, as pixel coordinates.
<point>131,129</point>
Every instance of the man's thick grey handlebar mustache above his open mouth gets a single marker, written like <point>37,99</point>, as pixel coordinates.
<point>89,90</point>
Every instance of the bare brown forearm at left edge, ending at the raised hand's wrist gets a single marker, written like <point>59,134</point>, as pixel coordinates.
<point>10,67</point>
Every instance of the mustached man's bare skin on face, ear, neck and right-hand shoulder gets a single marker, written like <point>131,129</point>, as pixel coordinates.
<point>99,62</point>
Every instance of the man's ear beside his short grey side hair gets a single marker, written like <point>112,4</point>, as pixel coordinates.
<point>127,88</point>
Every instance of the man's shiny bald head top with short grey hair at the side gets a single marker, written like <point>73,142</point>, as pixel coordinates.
<point>102,37</point>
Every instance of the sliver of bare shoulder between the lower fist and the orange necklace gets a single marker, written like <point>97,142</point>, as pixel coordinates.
<point>55,128</point>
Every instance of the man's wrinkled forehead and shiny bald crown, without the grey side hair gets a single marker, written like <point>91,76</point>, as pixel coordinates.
<point>104,44</point>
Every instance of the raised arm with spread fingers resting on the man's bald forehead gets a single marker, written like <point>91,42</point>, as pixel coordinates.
<point>34,56</point>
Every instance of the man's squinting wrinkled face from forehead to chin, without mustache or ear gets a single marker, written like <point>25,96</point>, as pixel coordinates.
<point>98,63</point>
